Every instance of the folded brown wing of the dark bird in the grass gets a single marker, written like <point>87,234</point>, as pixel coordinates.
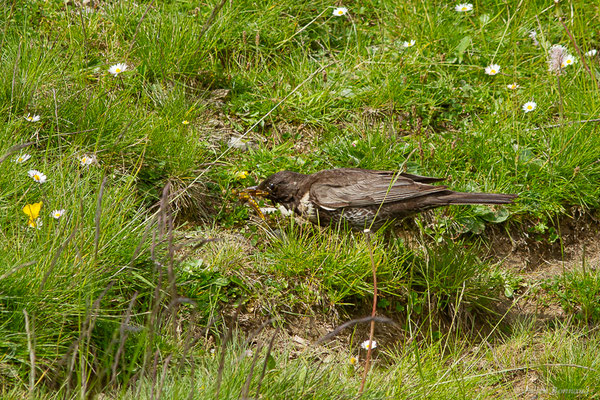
<point>367,189</point>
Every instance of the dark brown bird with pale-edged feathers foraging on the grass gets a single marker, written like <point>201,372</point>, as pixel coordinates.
<point>362,198</point>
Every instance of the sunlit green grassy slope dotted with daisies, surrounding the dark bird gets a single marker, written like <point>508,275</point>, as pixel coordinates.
<point>379,105</point>
